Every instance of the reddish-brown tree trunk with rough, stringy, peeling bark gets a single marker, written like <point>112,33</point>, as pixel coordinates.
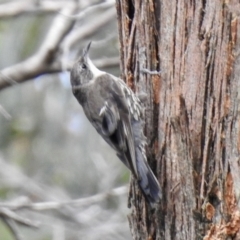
<point>192,120</point>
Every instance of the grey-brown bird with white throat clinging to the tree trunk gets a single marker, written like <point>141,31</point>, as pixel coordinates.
<point>116,113</point>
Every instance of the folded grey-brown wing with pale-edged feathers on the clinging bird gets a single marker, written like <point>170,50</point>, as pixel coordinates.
<point>115,122</point>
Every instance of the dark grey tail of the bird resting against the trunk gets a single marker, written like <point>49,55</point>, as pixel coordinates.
<point>148,183</point>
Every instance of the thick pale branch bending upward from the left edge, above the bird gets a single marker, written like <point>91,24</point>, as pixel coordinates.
<point>41,62</point>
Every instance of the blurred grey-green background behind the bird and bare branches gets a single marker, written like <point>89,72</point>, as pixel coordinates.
<point>48,150</point>
